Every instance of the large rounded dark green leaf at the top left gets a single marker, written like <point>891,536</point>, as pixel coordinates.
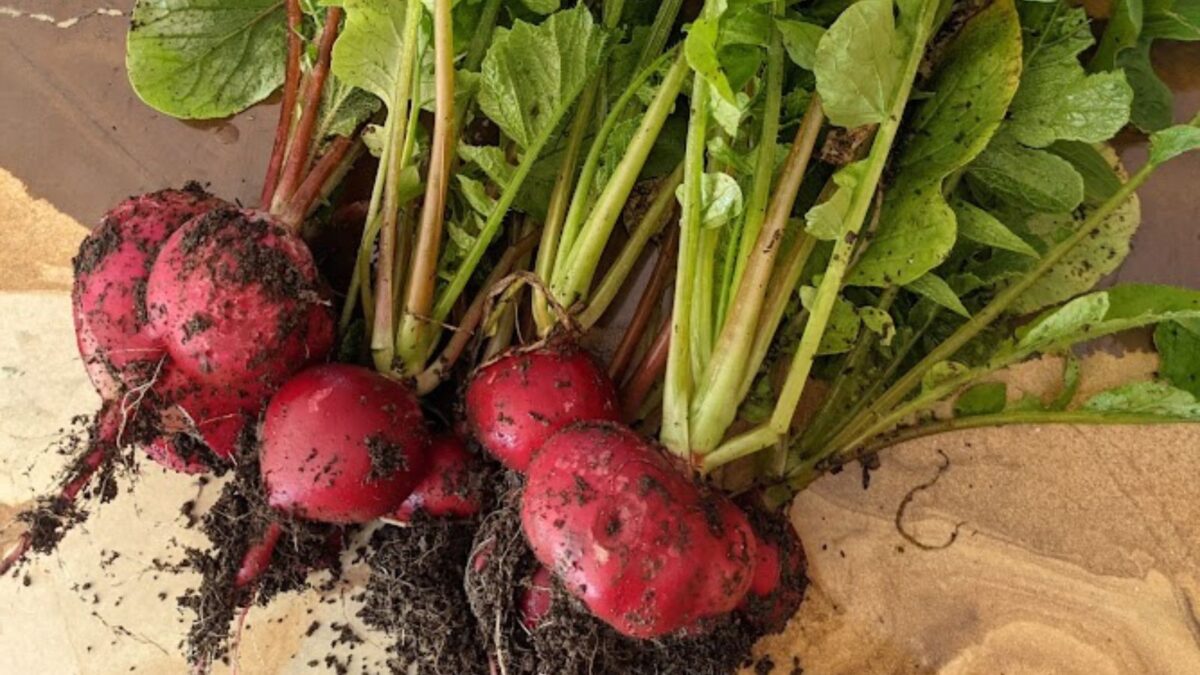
<point>200,59</point>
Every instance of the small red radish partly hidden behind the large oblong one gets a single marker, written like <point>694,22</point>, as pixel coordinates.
<point>520,401</point>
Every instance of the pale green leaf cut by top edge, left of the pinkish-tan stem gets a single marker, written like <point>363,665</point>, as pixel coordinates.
<point>368,53</point>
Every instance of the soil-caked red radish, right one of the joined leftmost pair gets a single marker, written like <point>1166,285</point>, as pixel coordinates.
<point>236,300</point>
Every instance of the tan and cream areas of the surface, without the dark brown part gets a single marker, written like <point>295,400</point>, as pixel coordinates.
<point>1078,549</point>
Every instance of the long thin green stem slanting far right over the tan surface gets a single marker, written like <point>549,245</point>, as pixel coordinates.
<point>874,415</point>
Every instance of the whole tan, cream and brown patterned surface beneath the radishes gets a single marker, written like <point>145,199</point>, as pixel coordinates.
<point>1077,551</point>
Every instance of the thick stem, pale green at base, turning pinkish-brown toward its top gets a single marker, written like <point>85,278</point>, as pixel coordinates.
<point>716,404</point>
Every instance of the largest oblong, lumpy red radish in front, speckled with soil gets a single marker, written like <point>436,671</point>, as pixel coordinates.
<point>647,549</point>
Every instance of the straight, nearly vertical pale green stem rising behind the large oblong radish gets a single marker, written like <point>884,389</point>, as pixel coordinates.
<point>679,384</point>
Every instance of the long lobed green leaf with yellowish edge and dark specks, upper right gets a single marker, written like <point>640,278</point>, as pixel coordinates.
<point>973,88</point>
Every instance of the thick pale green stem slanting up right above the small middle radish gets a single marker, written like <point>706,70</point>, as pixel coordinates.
<point>585,253</point>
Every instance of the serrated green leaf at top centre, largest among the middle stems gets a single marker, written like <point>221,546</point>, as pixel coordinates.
<point>532,74</point>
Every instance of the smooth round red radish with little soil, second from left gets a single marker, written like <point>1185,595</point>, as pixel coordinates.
<point>341,444</point>
